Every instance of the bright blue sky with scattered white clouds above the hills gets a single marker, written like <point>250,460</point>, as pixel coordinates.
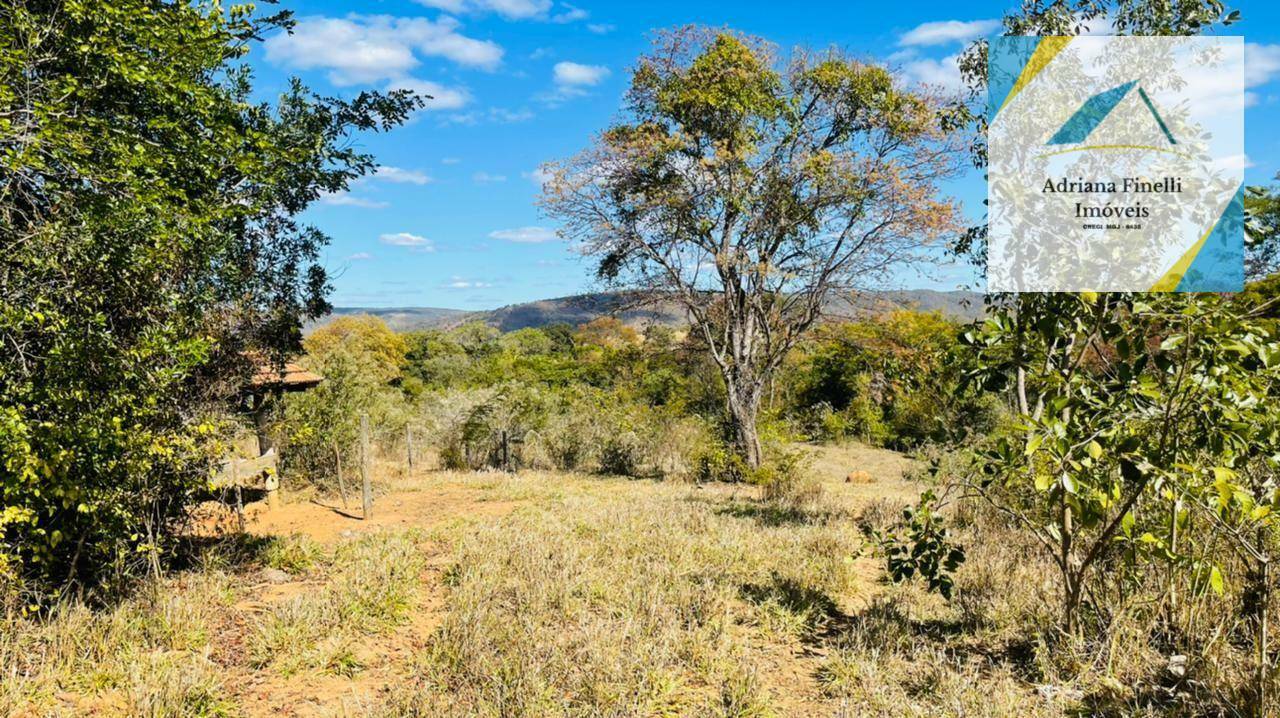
<point>451,219</point>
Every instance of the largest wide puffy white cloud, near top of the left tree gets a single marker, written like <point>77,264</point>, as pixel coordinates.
<point>362,49</point>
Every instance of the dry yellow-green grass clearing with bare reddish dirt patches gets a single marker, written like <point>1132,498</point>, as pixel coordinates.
<point>537,594</point>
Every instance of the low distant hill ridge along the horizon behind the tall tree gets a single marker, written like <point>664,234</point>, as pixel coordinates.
<point>580,309</point>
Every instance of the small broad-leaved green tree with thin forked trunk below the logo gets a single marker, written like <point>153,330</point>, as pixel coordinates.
<point>1135,404</point>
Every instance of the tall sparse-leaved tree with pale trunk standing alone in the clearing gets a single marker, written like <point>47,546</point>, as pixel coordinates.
<point>751,189</point>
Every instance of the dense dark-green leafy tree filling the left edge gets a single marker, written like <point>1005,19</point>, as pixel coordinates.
<point>148,240</point>
